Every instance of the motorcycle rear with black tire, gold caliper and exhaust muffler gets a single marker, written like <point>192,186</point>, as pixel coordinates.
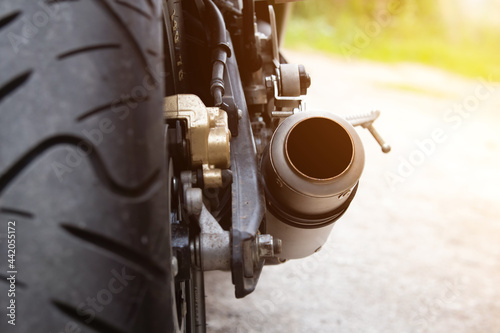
<point>144,143</point>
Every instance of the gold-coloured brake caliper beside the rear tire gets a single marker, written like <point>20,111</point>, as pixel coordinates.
<point>208,135</point>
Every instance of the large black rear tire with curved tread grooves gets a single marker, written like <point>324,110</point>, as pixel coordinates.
<point>82,166</point>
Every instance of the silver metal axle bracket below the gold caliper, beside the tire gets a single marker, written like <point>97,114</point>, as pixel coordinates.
<point>215,243</point>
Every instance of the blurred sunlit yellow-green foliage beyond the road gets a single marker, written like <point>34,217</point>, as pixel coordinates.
<point>458,35</point>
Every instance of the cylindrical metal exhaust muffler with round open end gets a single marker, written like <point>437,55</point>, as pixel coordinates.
<point>311,170</point>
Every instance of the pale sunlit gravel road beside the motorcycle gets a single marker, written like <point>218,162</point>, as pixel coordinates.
<point>419,249</point>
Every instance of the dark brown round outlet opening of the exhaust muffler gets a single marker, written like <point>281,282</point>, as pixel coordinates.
<point>319,148</point>
